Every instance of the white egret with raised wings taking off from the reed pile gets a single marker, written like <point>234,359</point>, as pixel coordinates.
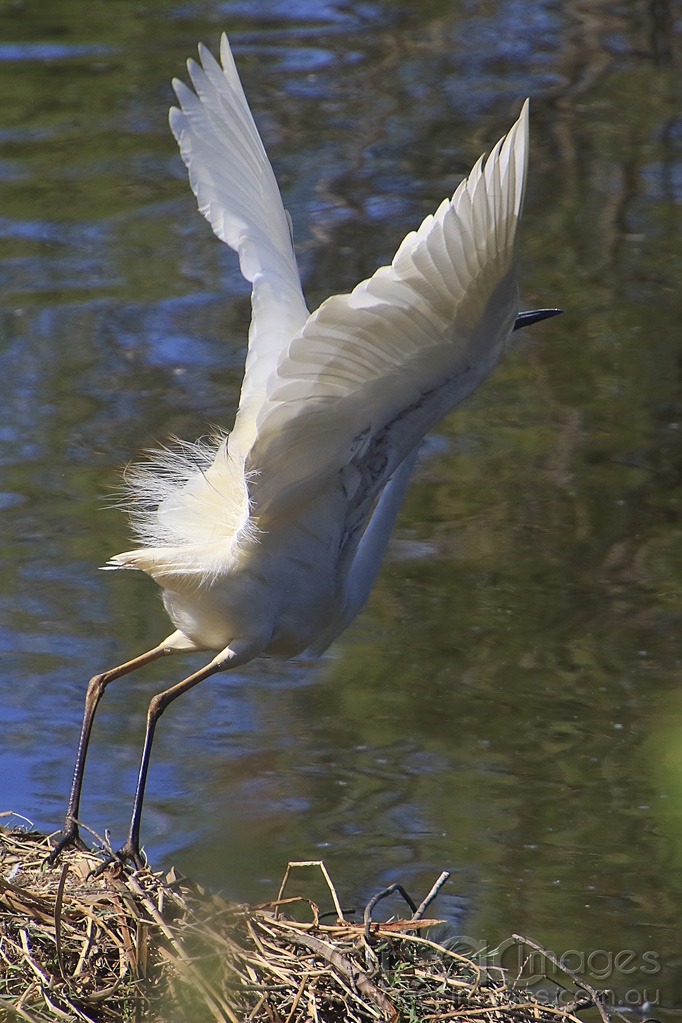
<point>268,541</point>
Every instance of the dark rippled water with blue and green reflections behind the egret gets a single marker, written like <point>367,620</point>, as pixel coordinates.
<point>510,704</point>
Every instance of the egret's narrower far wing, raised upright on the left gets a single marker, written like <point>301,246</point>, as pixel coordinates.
<point>237,191</point>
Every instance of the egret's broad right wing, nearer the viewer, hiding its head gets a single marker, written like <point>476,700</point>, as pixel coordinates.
<point>372,372</point>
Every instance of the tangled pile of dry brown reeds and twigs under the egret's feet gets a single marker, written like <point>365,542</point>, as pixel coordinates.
<point>138,946</point>
